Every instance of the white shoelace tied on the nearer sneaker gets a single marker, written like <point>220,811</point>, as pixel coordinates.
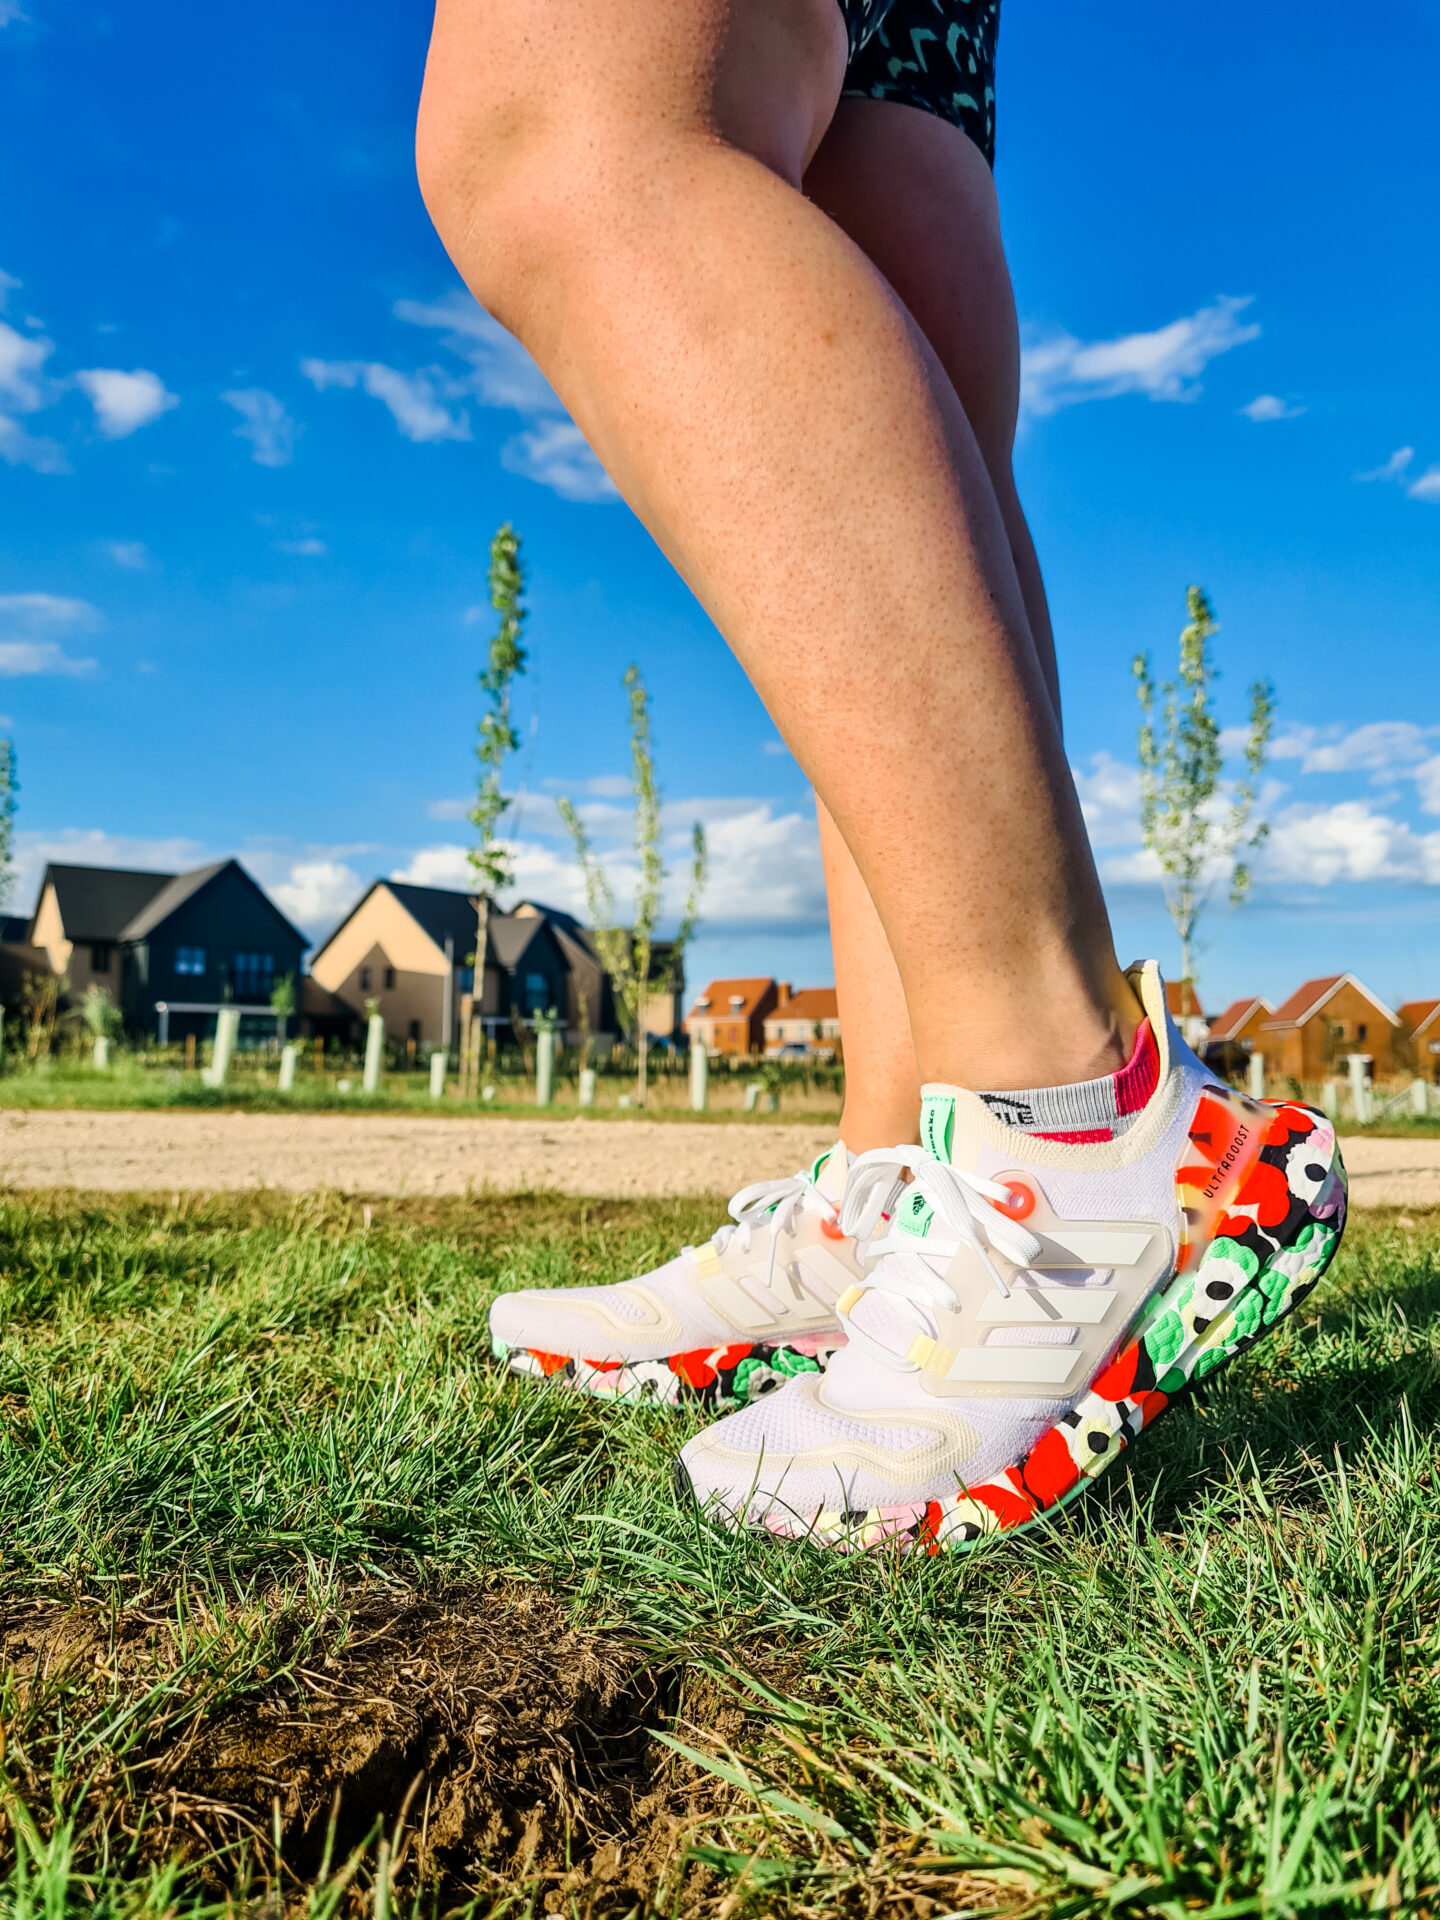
<point>913,1270</point>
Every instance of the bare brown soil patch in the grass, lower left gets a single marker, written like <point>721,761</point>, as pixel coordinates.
<point>475,1733</point>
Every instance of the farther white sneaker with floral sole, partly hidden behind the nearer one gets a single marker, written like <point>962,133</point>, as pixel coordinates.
<point>723,1324</point>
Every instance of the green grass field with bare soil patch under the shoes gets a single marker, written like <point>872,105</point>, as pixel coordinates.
<point>306,1608</point>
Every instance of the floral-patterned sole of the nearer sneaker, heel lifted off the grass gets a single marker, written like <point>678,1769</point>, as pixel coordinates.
<point>1285,1224</point>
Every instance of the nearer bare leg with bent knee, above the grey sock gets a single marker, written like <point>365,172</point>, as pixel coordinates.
<point>629,204</point>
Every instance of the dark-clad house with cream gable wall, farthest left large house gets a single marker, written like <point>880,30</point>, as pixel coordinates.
<point>170,949</point>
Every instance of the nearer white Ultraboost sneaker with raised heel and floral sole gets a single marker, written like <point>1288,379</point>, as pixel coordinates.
<point>1034,1307</point>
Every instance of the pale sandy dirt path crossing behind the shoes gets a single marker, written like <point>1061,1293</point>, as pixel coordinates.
<point>400,1155</point>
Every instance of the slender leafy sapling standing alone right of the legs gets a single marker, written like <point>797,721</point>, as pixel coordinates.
<point>1195,825</point>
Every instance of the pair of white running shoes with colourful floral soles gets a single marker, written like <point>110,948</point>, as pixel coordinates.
<point>928,1345</point>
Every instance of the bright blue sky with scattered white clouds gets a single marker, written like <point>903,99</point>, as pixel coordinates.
<point>254,439</point>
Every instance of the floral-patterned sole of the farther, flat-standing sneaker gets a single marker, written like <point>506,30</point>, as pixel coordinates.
<point>704,1378</point>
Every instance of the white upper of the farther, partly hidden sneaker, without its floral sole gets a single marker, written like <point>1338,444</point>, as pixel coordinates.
<point>769,1278</point>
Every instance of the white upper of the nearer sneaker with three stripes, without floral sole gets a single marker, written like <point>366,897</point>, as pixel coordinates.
<point>1011,1274</point>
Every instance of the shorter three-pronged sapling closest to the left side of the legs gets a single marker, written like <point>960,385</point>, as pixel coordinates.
<point>627,953</point>
